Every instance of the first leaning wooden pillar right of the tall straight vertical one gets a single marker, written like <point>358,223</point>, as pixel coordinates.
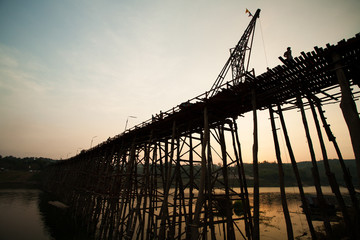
<point>289,229</point>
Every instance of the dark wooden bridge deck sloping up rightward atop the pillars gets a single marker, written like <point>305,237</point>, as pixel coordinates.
<point>312,72</point>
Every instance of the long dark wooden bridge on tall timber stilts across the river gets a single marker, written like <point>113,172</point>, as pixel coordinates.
<point>158,179</point>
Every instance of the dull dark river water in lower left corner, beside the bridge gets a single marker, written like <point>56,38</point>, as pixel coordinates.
<point>26,214</point>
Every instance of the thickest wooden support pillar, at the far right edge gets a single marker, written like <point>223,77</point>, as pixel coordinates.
<point>349,110</point>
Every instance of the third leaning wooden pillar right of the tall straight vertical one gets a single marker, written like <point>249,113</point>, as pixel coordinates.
<point>315,170</point>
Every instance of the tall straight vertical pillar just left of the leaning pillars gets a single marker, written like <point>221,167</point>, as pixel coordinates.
<point>256,233</point>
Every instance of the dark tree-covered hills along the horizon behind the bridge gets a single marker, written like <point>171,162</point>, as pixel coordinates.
<point>268,171</point>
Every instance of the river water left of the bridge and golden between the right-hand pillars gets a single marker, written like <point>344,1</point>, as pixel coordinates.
<point>27,214</point>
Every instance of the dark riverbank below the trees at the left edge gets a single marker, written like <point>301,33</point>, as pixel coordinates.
<point>19,179</point>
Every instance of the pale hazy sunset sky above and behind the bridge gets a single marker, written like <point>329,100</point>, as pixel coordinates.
<point>72,72</point>
